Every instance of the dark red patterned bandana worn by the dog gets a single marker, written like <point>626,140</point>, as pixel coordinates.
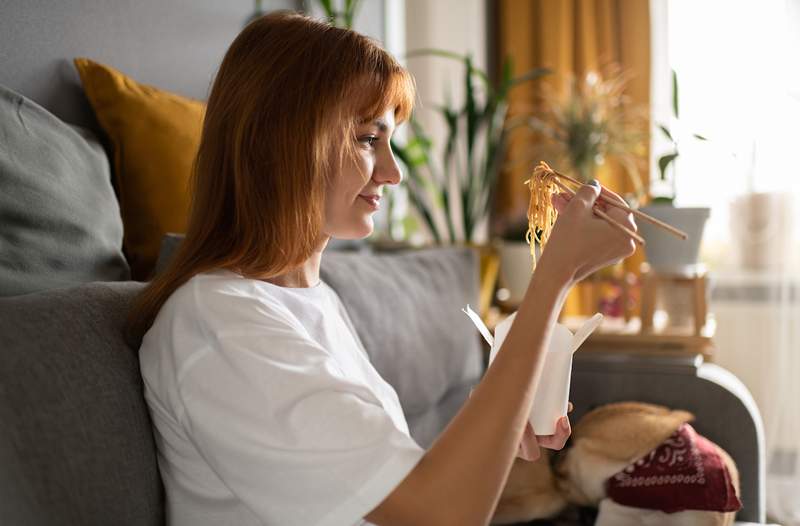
<point>686,472</point>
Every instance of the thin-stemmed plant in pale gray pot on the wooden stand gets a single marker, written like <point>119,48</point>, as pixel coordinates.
<point>665,253</point>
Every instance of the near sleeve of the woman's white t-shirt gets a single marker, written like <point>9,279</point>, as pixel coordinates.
<point>285,430</point>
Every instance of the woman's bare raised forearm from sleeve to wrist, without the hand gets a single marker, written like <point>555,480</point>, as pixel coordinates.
<point>461,477</point>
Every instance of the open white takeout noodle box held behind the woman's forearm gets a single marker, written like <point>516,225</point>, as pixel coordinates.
<point>552,394</point>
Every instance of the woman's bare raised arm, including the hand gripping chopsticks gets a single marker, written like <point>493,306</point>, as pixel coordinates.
<point>461,477</point>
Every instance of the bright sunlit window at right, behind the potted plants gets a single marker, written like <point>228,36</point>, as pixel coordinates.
<point>738,67</point>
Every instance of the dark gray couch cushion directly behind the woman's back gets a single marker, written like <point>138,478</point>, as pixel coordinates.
<point>76,445</point>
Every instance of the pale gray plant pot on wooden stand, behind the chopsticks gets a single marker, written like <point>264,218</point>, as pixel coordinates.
<point>665,252</point>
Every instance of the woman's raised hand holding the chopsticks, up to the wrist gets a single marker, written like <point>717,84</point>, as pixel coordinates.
<point>582,242</point>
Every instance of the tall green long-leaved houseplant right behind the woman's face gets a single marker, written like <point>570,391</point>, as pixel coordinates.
<point>453,192</point>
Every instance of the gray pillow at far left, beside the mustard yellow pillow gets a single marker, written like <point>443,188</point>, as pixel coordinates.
<point>59,219</point>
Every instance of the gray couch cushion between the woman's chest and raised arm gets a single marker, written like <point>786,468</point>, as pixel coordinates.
<point>406,308</point>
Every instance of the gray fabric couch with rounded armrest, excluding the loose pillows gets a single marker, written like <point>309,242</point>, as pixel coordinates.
<point>76,446</point>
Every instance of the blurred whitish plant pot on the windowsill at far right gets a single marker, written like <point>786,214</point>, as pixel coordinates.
<point>761,230</point>
